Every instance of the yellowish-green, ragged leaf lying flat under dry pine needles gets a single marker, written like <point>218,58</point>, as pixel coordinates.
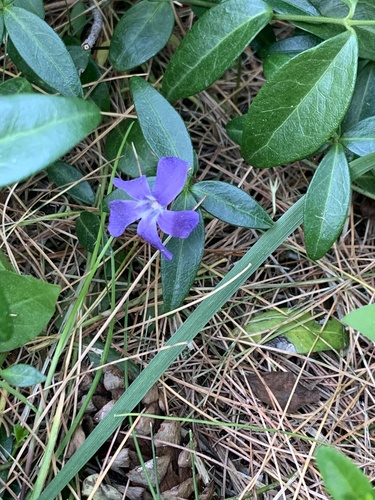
<point>302,331</point>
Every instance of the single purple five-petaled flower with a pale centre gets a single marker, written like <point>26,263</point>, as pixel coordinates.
<point>150,206</point>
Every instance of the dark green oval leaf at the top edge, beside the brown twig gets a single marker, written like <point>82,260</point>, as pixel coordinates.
<point>141,33</point>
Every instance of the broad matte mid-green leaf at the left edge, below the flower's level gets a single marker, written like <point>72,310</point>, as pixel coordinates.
<point>31,304</point>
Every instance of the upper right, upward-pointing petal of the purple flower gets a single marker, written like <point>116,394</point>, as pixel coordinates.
<point>170,179</point>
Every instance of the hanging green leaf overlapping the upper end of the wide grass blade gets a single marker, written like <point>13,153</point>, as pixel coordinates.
<point>326,203</point>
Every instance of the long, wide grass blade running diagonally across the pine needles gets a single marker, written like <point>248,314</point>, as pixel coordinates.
<point>240,272</point>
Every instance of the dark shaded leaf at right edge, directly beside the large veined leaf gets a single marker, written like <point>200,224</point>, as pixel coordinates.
<point>363,102</point>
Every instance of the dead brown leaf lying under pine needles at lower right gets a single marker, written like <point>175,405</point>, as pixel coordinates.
<point>281,385</point>
